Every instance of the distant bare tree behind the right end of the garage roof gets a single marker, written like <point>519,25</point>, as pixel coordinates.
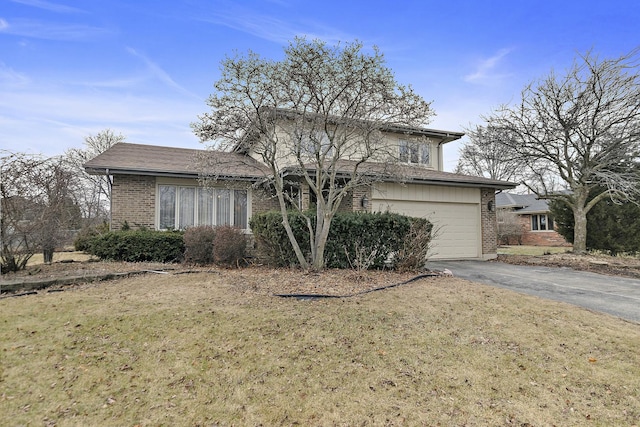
<point>484,154</point>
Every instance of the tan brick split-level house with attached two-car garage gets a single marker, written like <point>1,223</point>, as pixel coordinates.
<point>158,187</point>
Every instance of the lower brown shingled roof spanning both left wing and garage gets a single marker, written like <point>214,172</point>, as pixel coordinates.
<point>138,159</point>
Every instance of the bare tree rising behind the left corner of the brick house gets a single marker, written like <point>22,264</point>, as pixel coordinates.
<point>94,191</point>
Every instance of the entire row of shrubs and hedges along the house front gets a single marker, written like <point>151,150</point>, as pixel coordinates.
<point>356,240</point>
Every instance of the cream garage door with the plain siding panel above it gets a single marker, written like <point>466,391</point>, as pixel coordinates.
<point>454,211</point>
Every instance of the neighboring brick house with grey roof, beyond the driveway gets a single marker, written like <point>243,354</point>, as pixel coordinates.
<point>534,222</point>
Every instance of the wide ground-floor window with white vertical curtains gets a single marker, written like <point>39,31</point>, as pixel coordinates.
<point>180,207</point>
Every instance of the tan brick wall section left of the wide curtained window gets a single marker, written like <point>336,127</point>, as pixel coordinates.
<point>133,199</point>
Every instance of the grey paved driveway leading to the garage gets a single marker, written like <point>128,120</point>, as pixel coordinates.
<point>613,295</point>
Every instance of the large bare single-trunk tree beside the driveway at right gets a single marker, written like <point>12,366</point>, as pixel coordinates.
<point>583,129</point>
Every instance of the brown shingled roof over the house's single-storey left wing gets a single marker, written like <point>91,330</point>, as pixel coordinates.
<point>139,159</point>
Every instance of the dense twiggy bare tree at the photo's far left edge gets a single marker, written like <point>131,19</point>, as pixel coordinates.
<point>38,207</point>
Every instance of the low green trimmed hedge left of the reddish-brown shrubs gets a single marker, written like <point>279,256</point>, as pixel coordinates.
<point>138,245</point>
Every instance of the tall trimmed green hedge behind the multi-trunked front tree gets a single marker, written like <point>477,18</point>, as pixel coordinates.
<point>357,240</point>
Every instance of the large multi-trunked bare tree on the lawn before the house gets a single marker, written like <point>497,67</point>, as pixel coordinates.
<point>316,115</point>
